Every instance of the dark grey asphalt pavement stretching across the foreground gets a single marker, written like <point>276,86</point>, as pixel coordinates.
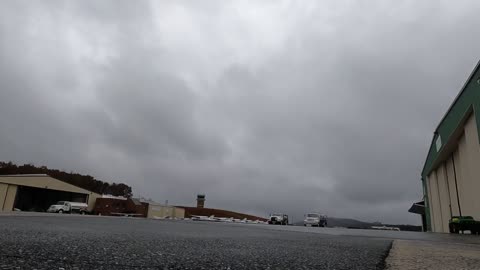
<point>78,242</point>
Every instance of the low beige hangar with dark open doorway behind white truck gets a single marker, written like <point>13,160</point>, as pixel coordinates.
<point>36,192</point>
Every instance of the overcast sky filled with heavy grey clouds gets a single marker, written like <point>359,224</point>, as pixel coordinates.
<point>289,106</point>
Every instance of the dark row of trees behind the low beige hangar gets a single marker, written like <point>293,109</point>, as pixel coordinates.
<point>83,181</point>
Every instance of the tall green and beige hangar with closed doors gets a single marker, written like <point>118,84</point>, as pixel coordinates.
<point>451,172</point>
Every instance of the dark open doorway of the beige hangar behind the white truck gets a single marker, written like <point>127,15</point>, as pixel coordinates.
<point>40,199</point>
